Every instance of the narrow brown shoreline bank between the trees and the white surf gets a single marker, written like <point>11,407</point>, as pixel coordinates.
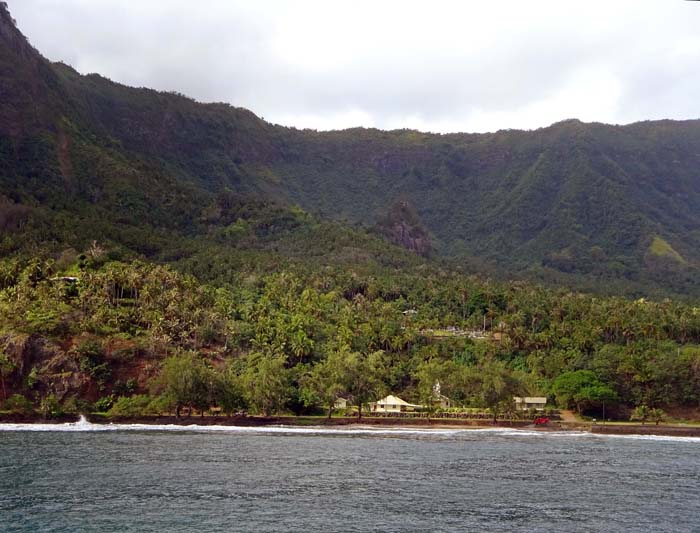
<point>398,423</point>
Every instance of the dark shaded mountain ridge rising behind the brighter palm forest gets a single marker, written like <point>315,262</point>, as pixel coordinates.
<point>604,207</point>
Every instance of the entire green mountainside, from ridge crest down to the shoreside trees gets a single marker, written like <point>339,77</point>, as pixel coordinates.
<point>157,253</point>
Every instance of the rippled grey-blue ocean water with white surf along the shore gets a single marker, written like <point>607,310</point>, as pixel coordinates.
<point>80,477</point>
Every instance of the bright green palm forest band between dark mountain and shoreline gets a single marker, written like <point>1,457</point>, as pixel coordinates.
<point>88,333</point>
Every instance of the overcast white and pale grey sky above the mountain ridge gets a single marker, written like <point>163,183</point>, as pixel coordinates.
<point>430,65</point>
